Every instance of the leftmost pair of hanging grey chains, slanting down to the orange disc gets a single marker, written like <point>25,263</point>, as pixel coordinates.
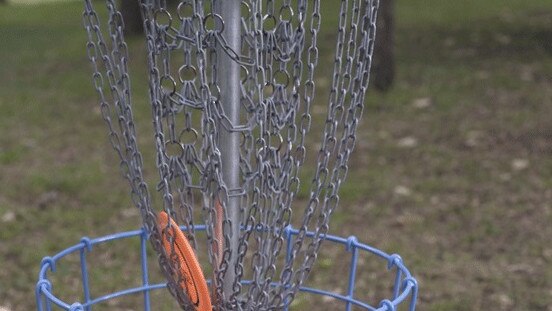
<point>110,60</point>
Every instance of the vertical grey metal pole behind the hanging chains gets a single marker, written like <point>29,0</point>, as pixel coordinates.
<point>228,79</point>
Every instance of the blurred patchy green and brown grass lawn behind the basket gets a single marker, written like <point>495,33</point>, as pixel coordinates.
<point>452,170</point>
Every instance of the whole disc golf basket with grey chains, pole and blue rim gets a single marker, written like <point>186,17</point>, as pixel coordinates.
<point>232,88</point>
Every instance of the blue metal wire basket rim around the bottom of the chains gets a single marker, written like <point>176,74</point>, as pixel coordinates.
<point>405,287</point>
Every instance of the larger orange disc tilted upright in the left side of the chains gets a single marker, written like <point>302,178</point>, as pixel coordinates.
<point>195,284</point>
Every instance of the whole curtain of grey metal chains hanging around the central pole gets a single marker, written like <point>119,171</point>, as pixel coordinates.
<point>278,58</point>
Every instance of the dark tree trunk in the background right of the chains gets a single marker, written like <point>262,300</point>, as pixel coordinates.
<point>383,65</point>
